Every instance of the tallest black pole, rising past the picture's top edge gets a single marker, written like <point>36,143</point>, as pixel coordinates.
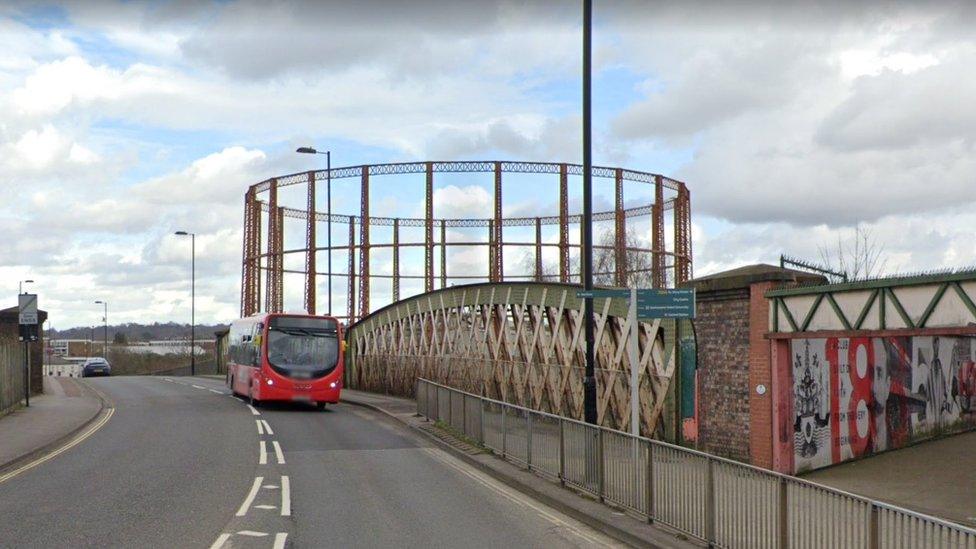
<point>589,379</point>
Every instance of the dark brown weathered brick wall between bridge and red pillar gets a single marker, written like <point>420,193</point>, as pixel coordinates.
<point>723,331</point>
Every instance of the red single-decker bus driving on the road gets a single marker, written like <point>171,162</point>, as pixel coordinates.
<point>285,357</point>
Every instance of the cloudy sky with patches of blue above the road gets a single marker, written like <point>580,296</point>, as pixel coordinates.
<point>791,123</point>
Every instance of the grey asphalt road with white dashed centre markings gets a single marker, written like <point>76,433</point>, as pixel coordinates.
<point>181,463</point>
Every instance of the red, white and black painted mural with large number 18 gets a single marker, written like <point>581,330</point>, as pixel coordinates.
<point>849,397</point>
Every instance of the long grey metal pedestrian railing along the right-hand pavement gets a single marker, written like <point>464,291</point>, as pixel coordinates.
<point>717,500</point>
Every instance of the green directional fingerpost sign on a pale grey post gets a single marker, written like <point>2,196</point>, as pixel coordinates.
<point>645,304</point>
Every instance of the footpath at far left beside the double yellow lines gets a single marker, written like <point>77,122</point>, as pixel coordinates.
<point>67,406</point>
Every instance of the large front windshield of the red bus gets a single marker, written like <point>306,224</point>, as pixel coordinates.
<point>302,347</point>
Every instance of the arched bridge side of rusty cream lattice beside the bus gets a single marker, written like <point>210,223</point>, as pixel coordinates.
<point>520,343</point>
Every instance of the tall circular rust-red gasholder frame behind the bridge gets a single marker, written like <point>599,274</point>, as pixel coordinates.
<point>264,256</point>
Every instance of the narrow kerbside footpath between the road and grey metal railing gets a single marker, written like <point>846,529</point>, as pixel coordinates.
<point>585,509</point>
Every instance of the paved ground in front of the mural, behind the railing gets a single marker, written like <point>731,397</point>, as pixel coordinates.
<point>933,477</point>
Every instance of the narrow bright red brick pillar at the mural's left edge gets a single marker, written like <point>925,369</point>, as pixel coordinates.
<point>760,373</point>
